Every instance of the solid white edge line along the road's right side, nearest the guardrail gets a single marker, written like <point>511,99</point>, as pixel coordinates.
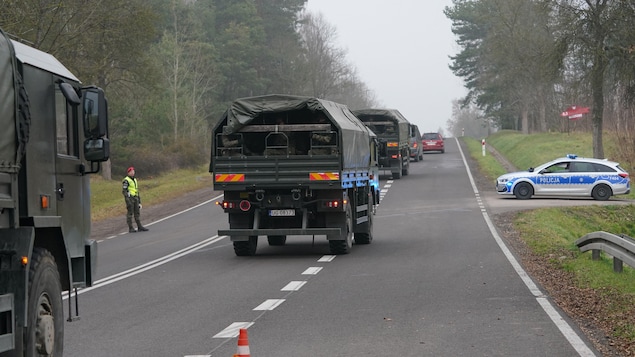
<point>566,330</point>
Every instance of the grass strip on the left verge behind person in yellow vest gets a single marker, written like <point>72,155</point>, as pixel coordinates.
<point>107,201</point>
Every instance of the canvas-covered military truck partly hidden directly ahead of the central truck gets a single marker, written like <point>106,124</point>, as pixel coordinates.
<point>393,132</point>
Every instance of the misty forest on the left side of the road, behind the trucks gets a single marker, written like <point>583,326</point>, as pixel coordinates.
<point>171,67</point>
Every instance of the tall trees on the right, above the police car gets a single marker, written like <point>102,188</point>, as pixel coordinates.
<point>524,62</point>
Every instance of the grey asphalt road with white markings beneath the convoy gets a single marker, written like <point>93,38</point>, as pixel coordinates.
<point>436,281</point>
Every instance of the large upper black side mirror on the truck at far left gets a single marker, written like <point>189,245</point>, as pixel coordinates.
<point>95,113</point>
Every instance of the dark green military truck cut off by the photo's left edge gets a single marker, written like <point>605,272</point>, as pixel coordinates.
<point>53,134</point>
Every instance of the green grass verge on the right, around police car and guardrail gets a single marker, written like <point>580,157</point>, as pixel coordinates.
<point>552,232</point>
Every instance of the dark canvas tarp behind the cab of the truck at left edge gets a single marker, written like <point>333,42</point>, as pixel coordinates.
<point>8,146</point>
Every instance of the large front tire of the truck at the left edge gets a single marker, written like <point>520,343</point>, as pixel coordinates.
<point>45,331</point>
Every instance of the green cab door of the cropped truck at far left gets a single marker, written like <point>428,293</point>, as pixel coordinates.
<point>72,193</point>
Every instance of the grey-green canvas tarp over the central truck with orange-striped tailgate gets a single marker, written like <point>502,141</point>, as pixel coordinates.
<point>353,133</point>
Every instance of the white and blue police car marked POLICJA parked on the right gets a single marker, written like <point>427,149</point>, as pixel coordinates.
<point>567,176</point>
